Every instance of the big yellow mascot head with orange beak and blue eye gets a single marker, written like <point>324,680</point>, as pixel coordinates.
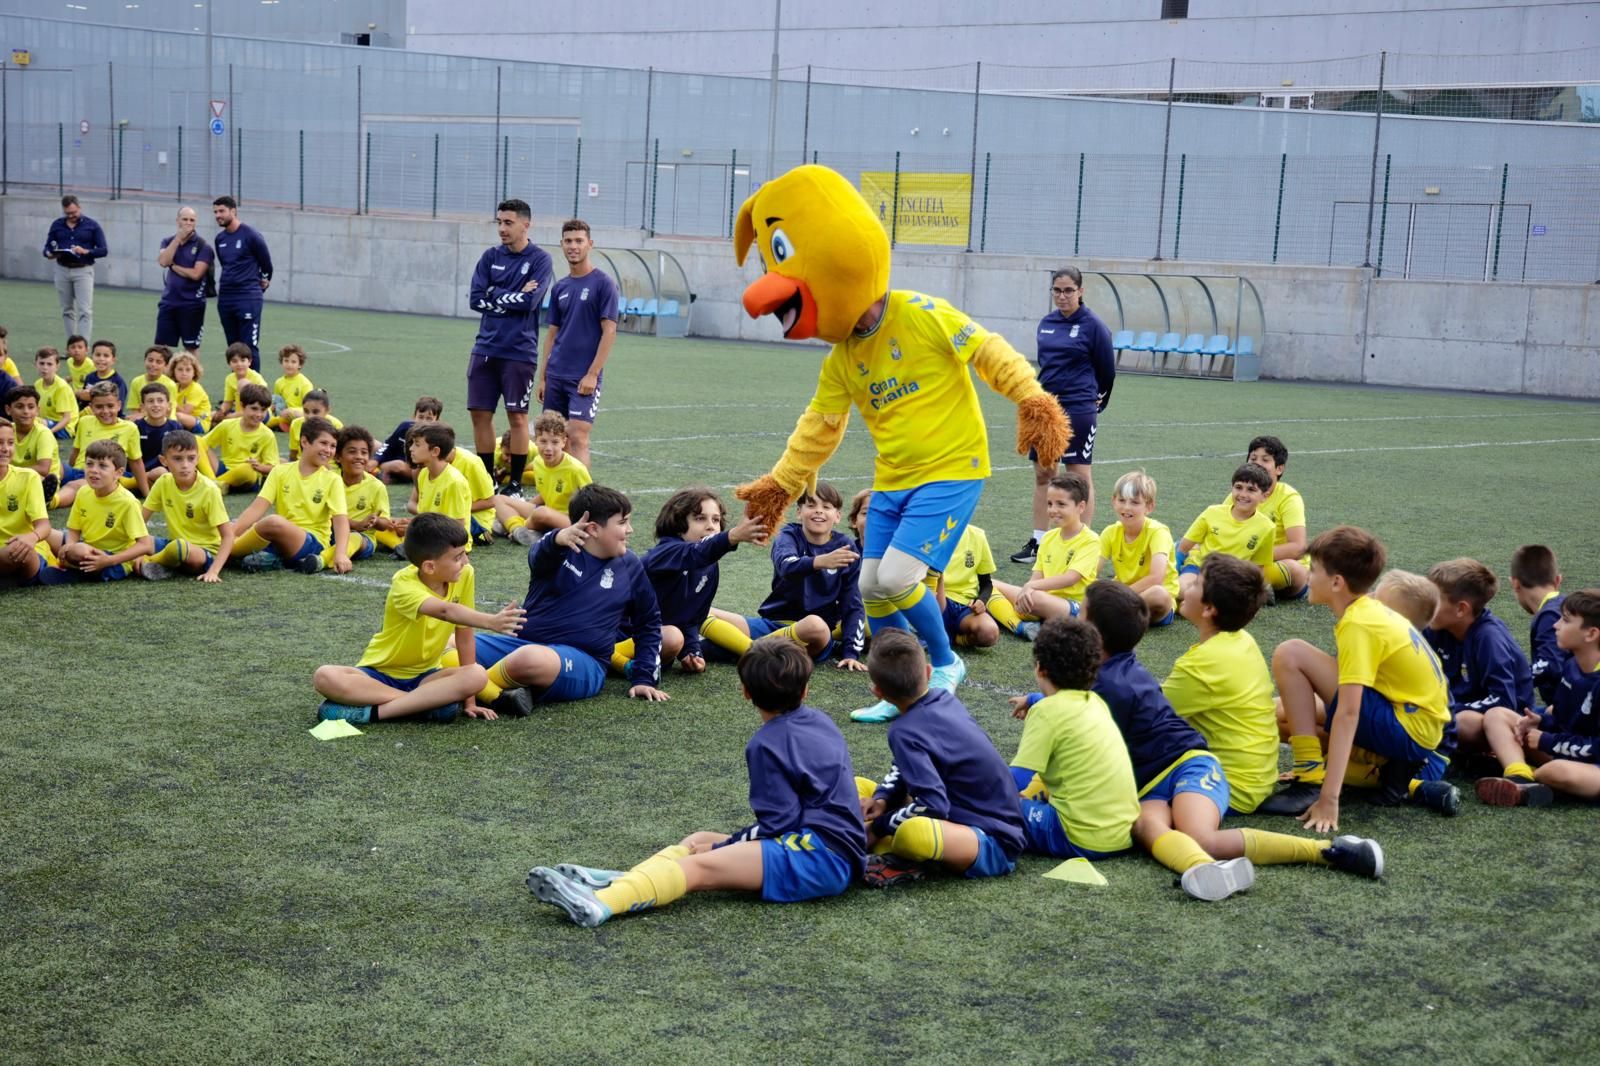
<point>826,255</point>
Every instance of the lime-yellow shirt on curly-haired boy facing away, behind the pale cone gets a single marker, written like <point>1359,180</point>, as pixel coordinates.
<point>1073,743</point>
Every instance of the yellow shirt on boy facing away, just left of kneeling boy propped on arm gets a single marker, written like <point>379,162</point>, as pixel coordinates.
<point>1225,689</point>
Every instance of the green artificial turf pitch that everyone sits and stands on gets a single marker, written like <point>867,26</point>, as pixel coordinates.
<point>188,876</point>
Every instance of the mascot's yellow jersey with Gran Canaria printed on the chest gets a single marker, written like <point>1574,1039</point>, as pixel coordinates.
<point>910,379</point>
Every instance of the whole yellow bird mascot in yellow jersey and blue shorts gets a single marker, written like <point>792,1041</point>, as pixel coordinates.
<point>902,359</point>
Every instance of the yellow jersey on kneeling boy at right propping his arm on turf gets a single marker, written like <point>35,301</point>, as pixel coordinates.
<point>1382,651</point>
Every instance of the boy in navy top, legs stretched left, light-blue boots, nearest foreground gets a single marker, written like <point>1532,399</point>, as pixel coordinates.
<point>807,841</point>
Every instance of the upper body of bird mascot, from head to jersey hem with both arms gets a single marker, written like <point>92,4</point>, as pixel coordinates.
<point>900,358</point>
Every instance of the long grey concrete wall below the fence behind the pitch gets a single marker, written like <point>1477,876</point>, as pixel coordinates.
<point>1322,324</point>
